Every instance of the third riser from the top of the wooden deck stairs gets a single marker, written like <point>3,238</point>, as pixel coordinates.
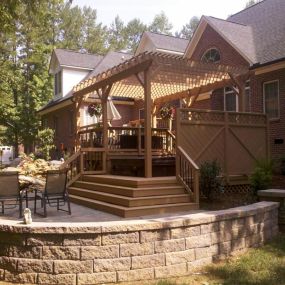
<point>128,203</point>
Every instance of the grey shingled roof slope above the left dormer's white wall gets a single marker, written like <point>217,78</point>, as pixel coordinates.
<point>77,59</point>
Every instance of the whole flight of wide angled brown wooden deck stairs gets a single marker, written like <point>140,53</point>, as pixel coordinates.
<point>131,196</point>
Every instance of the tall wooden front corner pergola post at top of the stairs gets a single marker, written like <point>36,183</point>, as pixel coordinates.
<point>147,123</point>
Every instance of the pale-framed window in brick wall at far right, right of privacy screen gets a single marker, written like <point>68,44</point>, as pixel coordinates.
<point>271,99</point>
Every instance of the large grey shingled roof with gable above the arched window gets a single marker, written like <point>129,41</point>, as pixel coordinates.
<point>257,32</point>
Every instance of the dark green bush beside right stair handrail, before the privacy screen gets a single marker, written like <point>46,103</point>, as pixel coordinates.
<point>209,180</point>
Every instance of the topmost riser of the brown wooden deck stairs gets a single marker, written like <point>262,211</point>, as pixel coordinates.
<point>131,183</point>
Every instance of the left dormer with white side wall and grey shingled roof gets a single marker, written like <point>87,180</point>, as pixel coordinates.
<point>69,68</point>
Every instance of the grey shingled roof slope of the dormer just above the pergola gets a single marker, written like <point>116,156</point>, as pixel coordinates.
<point>167,43</point>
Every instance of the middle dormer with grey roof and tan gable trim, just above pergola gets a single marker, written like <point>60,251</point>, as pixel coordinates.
<point>161,43</point>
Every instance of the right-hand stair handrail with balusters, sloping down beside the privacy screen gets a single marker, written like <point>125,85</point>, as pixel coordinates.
<point>187,173</point>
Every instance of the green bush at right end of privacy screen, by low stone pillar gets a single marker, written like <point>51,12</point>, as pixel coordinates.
<point>261,178</point>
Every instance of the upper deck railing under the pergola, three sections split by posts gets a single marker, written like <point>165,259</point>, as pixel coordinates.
<point>127,139</point>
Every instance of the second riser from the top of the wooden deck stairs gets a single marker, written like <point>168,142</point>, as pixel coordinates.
<point>136,192</point>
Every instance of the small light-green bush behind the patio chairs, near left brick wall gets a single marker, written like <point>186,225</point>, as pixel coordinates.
<point>45,140</point>
